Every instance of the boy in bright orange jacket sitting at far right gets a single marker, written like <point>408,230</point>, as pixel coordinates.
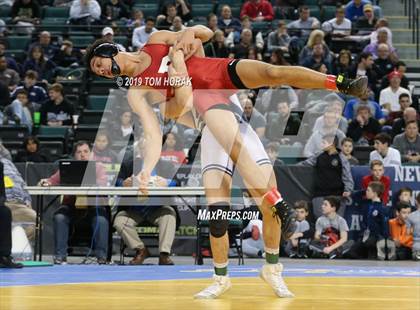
<point>403,239</point>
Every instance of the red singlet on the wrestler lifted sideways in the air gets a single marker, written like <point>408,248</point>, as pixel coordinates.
<point>213,79</point>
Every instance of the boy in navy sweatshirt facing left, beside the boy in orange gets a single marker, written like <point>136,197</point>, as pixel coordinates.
<point>377,221</point>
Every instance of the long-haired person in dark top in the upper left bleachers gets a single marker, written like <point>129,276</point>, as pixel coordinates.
<point>36,61</point>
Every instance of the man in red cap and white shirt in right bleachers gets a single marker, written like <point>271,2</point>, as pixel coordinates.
<point>389,97</point>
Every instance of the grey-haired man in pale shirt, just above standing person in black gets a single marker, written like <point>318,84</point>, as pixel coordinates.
<point>330,128</point>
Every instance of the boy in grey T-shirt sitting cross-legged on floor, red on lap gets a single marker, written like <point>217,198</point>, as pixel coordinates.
<point>331,231</point>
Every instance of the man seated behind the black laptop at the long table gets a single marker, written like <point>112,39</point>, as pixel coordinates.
<point>73,209</point>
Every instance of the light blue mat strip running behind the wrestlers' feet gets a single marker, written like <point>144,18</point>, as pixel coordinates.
<point>112,273</point>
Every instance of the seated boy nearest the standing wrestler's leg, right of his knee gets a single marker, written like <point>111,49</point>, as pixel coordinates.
<point>297,245</point>
